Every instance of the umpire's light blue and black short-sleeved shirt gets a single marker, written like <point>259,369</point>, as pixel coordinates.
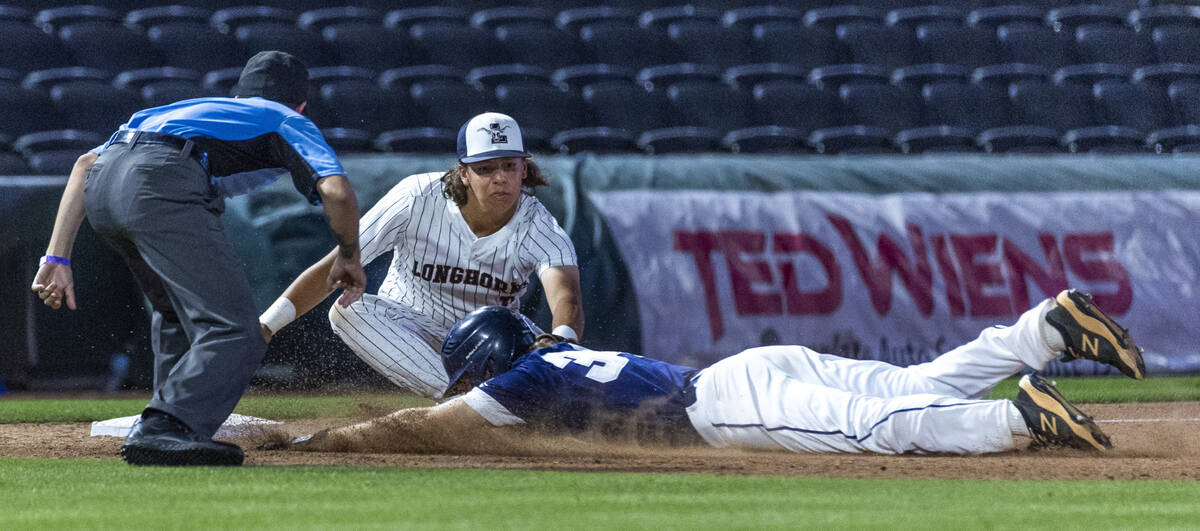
<point>249,142</point>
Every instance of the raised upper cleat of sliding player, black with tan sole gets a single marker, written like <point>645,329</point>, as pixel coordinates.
<point>1091,335</point>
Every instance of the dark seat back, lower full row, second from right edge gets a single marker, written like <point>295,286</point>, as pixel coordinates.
<point>1143,106</point>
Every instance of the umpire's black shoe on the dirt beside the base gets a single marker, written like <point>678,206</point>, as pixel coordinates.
<point>163,440</point>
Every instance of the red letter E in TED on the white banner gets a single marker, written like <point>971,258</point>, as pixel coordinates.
<point>745,275</point>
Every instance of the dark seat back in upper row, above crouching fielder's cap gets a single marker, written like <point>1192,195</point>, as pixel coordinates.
<point>458,45</point>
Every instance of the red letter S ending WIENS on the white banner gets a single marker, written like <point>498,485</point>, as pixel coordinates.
<point>1075,247</point>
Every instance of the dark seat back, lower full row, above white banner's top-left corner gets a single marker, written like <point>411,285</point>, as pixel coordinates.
<point>625,105</point>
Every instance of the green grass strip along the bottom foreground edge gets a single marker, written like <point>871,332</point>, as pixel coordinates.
<point>86,494</point>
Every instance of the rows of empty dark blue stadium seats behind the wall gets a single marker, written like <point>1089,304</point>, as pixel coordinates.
<point>813,76</point>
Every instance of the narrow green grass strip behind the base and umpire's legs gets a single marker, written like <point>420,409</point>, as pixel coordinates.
<point>274,408</point>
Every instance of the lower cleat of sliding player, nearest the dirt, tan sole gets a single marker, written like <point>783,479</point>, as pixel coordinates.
<point>1053,421</point>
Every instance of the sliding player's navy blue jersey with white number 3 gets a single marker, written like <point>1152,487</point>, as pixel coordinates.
<point>571,387</point>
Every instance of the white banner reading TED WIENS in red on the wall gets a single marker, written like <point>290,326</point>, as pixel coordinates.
<point>905,277</point>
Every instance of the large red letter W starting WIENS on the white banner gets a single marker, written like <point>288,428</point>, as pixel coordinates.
<point>916,276</point>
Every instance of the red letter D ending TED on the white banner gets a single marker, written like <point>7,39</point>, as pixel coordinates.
<point>809,303</point>
